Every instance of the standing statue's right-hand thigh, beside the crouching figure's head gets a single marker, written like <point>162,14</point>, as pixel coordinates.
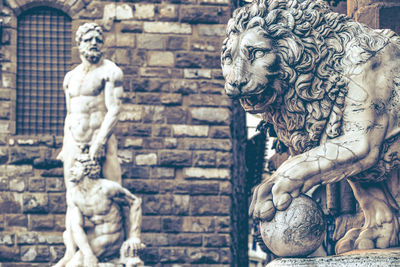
<point>111,167</point>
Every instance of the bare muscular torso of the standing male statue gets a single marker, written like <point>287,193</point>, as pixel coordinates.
<point>85,94</point>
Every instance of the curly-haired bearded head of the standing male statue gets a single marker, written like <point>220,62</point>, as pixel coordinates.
<point>89,37</point>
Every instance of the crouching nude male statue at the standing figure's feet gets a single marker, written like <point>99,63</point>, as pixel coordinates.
<point>99,201</point>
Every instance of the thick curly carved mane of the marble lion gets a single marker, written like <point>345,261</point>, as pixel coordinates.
<point>311,43</point>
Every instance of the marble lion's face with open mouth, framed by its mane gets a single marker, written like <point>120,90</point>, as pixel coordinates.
<point>249,66</point>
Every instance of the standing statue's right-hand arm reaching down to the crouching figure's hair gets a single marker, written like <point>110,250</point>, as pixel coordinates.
<point>113,91</point>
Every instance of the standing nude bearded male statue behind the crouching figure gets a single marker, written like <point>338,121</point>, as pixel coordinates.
<point>93,92</point>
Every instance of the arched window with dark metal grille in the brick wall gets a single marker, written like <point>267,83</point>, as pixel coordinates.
<point>44,56</point>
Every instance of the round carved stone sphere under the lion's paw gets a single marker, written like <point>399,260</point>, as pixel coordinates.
<point>297,231</point>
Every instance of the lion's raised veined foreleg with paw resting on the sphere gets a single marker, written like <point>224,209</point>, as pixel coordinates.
<point>356,150</point>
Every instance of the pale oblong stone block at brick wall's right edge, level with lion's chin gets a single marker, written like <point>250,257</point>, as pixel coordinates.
<point>211,115</point>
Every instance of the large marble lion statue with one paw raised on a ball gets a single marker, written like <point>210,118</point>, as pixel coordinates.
<point>330,88</point>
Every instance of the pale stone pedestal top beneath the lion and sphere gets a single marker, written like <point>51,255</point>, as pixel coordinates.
<point>375,257</point>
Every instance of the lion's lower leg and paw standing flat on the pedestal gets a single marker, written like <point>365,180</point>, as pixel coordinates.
<point>381,224</point>
